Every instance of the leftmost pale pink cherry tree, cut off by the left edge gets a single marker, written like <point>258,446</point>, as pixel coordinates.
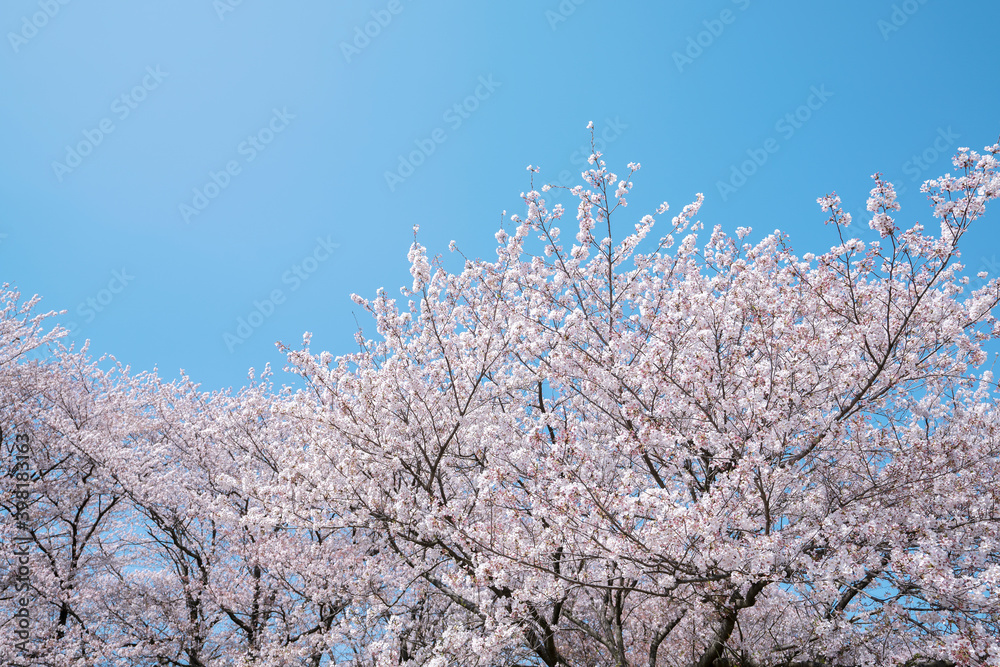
<point>57,512</point>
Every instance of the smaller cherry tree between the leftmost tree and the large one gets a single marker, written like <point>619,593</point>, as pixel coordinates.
<point>209,575</point>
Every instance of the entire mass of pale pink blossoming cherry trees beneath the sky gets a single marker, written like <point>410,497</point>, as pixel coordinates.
<point>626,450</point>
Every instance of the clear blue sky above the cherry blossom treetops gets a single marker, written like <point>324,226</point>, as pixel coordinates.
<point>168,169</point>
